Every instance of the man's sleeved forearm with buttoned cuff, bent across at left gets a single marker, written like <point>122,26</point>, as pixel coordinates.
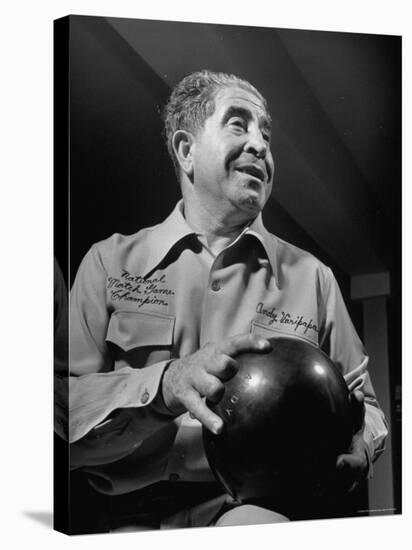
<point>112,413</point>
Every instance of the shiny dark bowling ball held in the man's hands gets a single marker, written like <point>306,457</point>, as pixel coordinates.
<point>287,417</point>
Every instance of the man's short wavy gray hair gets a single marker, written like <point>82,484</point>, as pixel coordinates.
<point>192,102</point>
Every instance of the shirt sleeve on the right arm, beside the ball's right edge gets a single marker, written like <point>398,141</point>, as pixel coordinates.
<point>341,342</point>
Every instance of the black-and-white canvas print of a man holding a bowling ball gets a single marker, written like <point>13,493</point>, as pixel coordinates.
<point>227,275</point>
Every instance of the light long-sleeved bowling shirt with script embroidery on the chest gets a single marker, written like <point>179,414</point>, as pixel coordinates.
<point>140,301</point>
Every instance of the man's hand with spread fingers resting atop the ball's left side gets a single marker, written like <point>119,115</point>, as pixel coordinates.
<point>186,381</point>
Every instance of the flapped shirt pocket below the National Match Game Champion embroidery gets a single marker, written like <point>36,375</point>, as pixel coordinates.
<point>140,339</point>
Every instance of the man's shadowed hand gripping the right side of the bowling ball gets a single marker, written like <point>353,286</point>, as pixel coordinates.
<point>352,467</point>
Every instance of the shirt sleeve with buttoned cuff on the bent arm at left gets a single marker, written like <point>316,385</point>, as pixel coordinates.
<point>110,411</point>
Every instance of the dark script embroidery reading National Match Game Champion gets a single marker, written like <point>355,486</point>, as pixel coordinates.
<point>134,288</point>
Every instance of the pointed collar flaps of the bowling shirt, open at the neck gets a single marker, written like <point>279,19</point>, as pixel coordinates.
<point>175,228</point>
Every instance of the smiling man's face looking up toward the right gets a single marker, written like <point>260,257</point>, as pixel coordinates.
<point>233,165</point>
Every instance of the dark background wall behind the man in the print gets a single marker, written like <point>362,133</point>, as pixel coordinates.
<point>335,100</point>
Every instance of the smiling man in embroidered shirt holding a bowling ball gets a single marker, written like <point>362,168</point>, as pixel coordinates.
<point>158,318</point>
